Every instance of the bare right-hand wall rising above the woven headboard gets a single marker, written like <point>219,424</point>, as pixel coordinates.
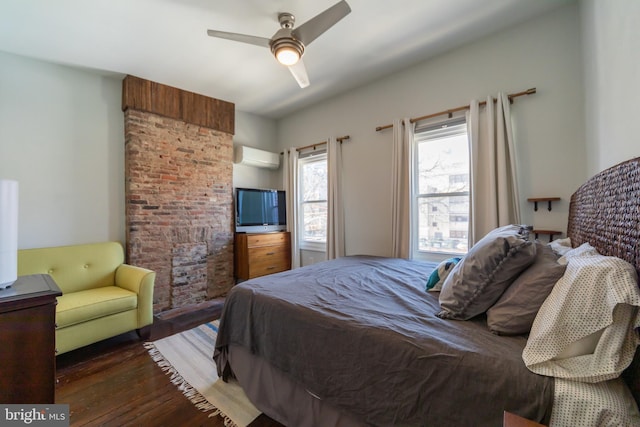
<point>611,45</point>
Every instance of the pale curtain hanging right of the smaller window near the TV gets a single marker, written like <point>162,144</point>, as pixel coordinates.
<point>335,206</point>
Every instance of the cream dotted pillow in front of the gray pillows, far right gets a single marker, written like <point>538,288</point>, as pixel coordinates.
<point>596,293</point>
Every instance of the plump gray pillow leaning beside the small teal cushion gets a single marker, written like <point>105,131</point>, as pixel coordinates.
<point>489,267</point>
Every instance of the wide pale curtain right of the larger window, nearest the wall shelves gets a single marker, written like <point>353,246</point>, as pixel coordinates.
<point>494,187</point>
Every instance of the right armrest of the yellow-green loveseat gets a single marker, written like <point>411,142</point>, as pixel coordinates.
<point>141,281</point>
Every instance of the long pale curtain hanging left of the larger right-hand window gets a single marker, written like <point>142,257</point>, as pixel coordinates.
<point>402,165</point>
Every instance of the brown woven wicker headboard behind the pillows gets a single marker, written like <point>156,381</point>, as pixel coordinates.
<point>605,212</point>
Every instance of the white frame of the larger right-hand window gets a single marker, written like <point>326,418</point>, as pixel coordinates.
<point>457,127</point>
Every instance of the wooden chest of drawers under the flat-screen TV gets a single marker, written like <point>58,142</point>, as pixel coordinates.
<point>259,254</point>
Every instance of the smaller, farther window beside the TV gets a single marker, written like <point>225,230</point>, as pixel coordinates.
<point>313,202</point>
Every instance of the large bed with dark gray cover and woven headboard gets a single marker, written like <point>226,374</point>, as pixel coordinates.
<point>358,341</point>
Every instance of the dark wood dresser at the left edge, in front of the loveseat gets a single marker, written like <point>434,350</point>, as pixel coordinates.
<point>27,336</point>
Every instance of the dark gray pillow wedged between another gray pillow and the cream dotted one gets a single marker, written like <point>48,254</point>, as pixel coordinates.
<point>516,309</point>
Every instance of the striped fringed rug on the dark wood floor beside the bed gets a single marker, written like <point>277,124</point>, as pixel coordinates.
<point>187,358</point>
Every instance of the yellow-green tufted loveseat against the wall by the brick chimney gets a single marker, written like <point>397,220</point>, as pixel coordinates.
<point>101,296</point>
